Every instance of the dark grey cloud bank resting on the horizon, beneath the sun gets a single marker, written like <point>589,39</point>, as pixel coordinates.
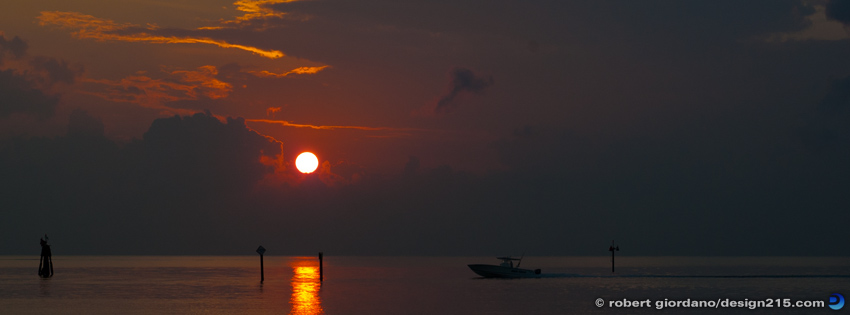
<point>195,185</point>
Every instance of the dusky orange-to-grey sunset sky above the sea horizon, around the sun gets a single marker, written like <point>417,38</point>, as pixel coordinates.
<point>442,127</point>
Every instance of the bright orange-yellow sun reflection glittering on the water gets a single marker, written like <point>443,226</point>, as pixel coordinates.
<point>305,289</point>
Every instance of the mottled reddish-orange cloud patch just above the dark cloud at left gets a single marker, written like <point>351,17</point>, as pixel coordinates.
<point>153,93</point>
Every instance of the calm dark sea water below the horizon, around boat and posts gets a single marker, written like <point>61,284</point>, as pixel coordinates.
<point>412,285</point>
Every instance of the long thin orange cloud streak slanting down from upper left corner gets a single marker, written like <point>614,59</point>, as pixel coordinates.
<point>87,26</point>
